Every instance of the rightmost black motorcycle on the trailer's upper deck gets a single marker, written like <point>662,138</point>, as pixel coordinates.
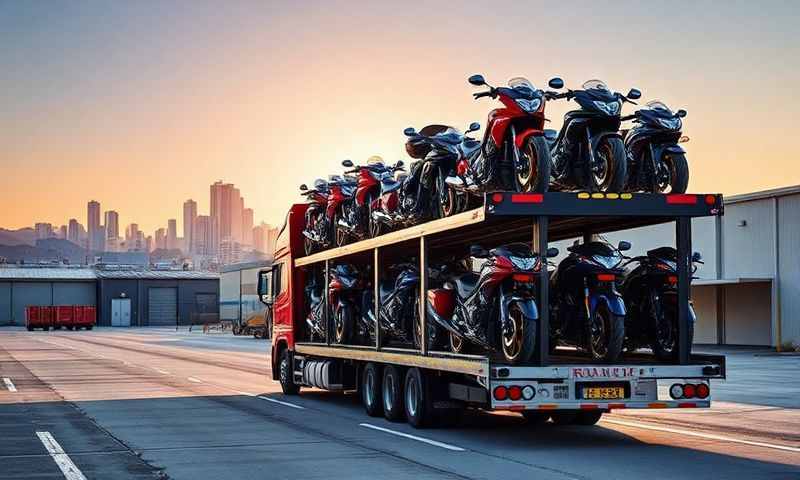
<point>656,163</point>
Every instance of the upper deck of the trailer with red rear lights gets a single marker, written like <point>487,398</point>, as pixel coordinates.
<point>509,217</point>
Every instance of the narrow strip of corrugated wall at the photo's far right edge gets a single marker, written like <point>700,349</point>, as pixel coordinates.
<point>789,267</point>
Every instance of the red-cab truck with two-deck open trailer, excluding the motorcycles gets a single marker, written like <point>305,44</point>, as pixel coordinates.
<point>423,384</point>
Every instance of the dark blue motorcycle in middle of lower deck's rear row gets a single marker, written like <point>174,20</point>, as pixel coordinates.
<point>587,310</point>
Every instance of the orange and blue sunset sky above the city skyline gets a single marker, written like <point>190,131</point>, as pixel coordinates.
<point>143,104</point>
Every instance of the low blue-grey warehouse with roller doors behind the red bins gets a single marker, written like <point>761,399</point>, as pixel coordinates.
<point>123,297</point>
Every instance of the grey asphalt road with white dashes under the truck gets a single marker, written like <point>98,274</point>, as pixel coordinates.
<point>121,404</point>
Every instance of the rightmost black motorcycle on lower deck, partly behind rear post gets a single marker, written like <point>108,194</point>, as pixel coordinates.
<point>650,290</point>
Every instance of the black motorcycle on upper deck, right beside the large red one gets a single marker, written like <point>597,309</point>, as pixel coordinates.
<point>588,153</point>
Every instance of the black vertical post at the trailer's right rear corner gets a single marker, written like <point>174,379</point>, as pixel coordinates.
<point>683,240</point>
